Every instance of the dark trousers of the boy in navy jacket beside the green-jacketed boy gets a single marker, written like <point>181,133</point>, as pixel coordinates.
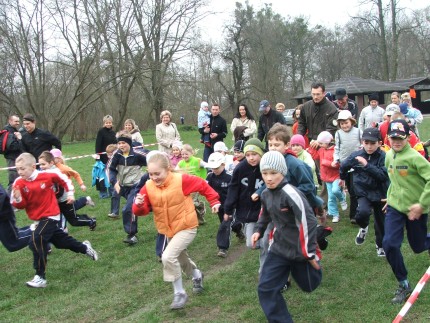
<point>362,216</point>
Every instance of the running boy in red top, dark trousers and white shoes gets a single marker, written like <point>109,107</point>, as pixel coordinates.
<point>33,192</point>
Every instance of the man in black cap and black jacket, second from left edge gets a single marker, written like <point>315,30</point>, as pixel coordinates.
<point>35,140</point>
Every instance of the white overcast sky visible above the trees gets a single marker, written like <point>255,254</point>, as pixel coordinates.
<point>324,12</point>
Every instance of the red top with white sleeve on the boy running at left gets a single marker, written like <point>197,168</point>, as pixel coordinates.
<point>38,196</point>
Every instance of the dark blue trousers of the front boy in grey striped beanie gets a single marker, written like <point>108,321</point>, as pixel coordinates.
<point>273,278</point>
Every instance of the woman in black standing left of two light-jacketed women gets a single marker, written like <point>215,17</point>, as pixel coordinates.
<point>105,137</point>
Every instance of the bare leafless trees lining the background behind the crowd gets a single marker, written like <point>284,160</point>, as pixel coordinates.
<point>71,62</point>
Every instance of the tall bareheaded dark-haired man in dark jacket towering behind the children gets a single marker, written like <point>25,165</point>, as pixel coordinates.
<point>317,115</point>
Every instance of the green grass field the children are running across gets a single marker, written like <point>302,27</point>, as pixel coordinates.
<point>126,284</point>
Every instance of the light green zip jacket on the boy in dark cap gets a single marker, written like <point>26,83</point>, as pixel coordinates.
<point>409,174</point>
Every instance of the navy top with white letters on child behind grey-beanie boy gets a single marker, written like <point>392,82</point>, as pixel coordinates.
<point>246,179</point>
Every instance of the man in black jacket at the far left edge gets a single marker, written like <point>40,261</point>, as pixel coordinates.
<point>13,149</point>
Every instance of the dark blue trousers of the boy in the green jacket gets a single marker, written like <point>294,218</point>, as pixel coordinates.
<point>418,239</point>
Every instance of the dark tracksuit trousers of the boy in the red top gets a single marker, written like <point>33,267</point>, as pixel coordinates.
<point>49,230</point>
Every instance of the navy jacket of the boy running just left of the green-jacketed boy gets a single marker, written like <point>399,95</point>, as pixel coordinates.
<point>370,181</point>
